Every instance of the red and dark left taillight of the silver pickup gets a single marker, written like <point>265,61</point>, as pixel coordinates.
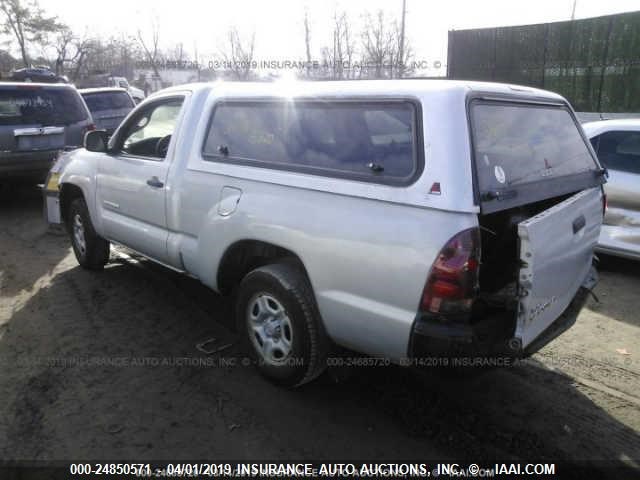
<point>453,281</point>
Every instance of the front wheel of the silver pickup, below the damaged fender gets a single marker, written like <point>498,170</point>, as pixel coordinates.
<point>94,254</point>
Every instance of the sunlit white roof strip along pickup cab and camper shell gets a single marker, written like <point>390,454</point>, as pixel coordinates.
<point>415,87</point>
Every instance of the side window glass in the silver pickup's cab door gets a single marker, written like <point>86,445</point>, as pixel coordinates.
<point>148,133</point>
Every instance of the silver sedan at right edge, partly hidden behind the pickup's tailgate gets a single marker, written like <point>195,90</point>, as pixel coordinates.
<point>617,143</point>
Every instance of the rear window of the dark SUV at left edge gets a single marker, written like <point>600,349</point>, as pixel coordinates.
<point>40,105</point>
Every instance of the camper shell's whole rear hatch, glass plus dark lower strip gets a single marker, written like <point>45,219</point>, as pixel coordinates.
<point>525,152</point>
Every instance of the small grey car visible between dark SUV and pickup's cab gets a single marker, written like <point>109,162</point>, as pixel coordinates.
<point>108,106</point>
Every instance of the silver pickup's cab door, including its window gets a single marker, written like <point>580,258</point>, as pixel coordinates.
<point>131,194</point>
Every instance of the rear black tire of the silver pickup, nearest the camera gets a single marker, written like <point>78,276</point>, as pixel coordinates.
<point>288,286</point>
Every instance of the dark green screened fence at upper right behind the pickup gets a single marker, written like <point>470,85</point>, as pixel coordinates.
<point>594,63</point>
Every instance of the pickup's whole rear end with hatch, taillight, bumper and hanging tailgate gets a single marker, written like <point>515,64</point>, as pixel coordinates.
<point>509,286</point>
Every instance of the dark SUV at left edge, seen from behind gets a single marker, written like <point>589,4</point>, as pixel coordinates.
<point>37,121</point>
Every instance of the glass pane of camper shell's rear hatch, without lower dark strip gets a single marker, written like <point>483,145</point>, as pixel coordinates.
<point>518,144</point>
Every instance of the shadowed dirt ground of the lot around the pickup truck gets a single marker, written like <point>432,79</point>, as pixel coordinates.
<point>101,365</point>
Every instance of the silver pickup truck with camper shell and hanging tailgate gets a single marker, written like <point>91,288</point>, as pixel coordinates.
<point>417,221</point>
